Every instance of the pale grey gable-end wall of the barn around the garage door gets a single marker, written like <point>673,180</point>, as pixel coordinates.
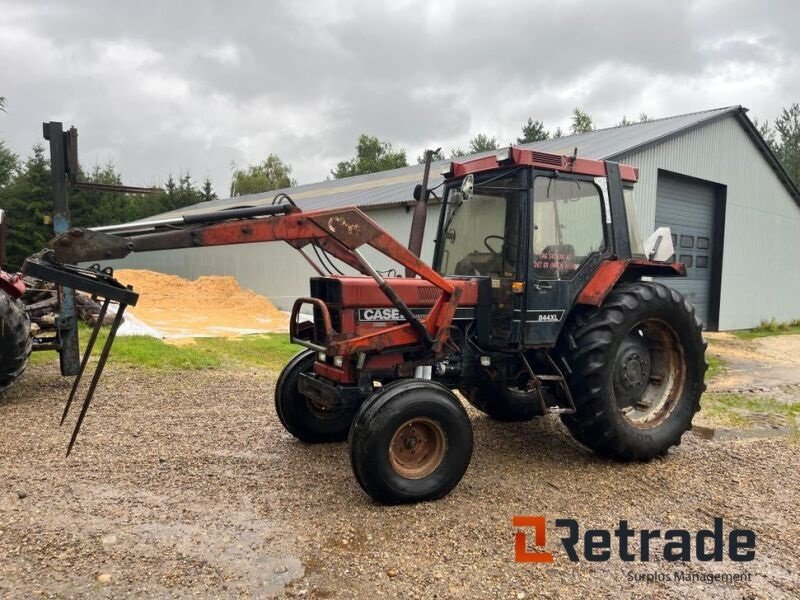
<point>760,275</point>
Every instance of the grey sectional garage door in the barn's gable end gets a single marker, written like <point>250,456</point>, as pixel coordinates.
<point>687,208</point>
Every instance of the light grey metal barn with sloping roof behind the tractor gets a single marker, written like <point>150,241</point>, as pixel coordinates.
<point>709,176</point>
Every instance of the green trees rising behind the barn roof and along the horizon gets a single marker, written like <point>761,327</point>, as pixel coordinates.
<point>26,186</point>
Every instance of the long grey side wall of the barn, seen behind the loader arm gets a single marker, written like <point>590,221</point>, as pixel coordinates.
<point>274,270</point>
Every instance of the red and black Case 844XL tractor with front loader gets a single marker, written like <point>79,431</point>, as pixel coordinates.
<point>539,301</point>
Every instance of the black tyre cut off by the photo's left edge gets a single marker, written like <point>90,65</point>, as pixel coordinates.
<point>15,340</point>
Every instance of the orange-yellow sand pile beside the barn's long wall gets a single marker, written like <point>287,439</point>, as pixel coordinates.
<point>207,307</point>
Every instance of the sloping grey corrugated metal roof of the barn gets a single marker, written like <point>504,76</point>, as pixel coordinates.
<point>396,186</point>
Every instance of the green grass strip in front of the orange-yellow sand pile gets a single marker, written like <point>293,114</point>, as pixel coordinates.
<point>269,351</point>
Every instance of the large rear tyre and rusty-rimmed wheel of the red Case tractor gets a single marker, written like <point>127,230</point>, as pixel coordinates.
<point>615,357</point>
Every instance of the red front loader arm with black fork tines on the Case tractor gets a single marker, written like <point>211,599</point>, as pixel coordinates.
<point>339,232</point>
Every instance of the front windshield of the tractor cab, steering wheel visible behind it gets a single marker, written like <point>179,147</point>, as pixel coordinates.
<point>480,236</point>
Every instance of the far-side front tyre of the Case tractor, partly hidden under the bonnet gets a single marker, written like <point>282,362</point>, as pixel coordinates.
<point>299,415</point>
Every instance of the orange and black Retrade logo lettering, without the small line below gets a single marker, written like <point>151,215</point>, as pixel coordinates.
<point>600,545</point>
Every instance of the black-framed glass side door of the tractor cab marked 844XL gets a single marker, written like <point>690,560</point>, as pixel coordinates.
<point>569,240</point>
